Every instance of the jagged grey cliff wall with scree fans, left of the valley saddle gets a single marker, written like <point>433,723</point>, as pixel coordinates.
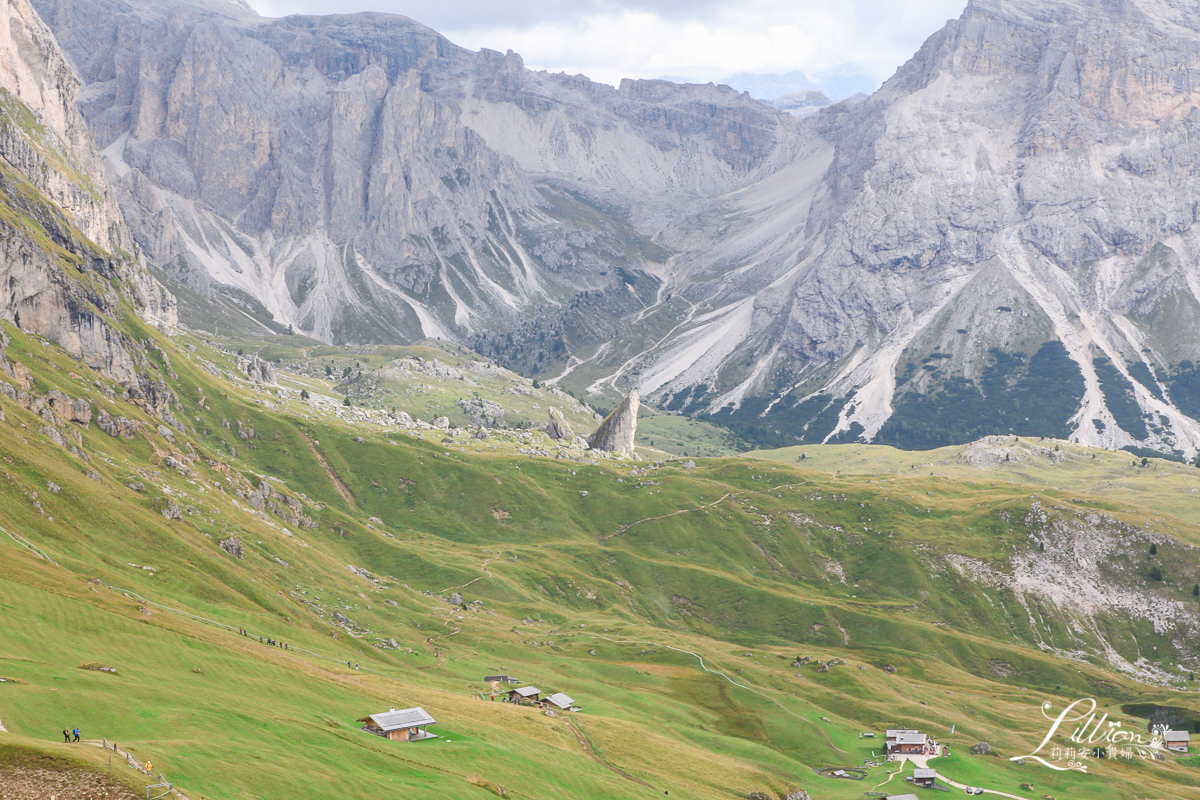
<point>368,181</point>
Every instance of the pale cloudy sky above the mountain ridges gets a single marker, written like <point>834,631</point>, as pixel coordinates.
<point>706,40</point>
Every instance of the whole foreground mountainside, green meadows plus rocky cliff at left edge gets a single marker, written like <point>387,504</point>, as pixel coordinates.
<point>213,564</point>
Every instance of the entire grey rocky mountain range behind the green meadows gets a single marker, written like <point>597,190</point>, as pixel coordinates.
<point>998,242</point>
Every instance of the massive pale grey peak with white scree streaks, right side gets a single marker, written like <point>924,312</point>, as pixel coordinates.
<point>1018,201</point>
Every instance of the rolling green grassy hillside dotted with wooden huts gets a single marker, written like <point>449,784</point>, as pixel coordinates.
<point>683,607</point>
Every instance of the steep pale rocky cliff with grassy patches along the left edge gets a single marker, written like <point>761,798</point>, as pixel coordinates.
<point>67,258</point>
